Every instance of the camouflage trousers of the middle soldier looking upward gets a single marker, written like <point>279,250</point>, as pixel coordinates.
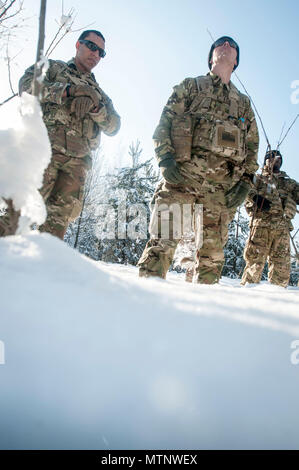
<point>209,258</point>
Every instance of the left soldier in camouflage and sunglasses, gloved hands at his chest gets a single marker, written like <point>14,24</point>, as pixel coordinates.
<point>75,111</point>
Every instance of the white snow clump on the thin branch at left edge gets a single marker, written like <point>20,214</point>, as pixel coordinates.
<point>25,153</point>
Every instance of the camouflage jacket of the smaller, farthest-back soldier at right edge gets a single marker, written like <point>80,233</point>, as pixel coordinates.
<point>273,200</point>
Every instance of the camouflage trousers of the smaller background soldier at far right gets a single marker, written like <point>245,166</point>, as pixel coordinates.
<point>272,244</point>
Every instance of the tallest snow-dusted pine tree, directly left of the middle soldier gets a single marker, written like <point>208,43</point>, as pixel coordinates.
<point>130,191</point>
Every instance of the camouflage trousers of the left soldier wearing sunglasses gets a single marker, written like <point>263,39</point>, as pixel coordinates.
<point>62,192</point>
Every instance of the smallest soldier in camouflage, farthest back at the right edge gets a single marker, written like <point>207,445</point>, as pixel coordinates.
<point>271,205</point>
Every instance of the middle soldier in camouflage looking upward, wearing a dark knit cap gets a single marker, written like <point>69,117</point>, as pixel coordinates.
<point>206,146</point>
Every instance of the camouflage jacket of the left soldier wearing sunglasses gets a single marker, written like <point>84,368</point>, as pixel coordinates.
<point>68,134</point>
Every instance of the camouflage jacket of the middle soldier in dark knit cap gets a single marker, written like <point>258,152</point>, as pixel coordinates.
<point>222,127</point>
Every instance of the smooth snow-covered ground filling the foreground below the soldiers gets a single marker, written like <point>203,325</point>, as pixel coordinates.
<point>96,358</point>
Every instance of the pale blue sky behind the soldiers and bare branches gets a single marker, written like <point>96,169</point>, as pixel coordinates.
<point>154,44</point>
